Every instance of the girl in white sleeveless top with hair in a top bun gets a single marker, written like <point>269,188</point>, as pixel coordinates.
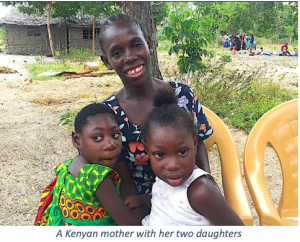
<point>182,194</point>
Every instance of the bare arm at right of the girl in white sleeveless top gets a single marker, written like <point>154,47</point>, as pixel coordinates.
<point>206,200</point>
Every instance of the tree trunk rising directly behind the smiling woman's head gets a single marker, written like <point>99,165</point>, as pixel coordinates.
<point>143,12</point>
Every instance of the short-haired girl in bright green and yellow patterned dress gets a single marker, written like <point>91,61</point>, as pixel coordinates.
<point>86,191</point>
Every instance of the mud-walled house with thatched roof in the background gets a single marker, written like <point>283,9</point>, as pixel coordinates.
<point>27,34</point>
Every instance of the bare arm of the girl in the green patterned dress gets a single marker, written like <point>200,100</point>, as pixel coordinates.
<point>115,206</point>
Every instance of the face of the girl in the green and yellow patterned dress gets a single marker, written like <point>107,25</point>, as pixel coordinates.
<point>100,140</point>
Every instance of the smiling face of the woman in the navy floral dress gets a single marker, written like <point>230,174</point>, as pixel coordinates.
<point>127,52</point>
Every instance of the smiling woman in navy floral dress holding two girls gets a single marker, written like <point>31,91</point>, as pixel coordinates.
<point>126,48</point>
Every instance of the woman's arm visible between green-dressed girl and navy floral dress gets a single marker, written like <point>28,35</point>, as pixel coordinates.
<point>127,187</point>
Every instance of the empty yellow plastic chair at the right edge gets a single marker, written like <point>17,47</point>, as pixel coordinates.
<point>279,127</point>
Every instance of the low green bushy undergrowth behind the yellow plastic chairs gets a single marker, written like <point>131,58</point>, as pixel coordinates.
<point>237,97</point>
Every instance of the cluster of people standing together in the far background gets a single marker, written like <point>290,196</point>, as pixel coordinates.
<point>238,42</point>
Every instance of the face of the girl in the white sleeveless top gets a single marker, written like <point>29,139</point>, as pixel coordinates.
<point>172,153</point>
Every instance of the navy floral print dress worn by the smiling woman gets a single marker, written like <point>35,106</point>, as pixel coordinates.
<point>133,151</point>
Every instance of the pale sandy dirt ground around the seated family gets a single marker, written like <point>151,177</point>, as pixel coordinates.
<point>32,142</point>
